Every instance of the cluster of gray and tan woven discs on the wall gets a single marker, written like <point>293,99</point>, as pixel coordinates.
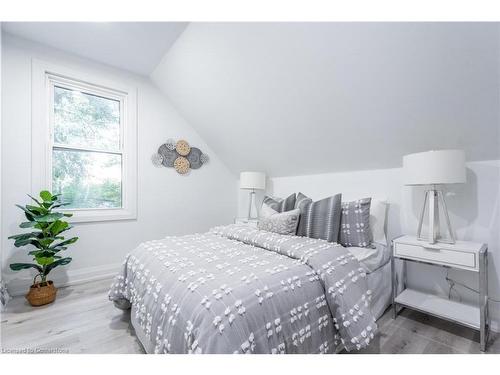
<point>180,156</point>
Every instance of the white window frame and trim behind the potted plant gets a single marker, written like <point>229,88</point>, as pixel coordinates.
<point>44,77</point>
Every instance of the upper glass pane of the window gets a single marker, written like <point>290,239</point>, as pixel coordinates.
<point>86,120</point>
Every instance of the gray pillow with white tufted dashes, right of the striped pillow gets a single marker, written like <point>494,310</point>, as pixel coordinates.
<point>355,223</point>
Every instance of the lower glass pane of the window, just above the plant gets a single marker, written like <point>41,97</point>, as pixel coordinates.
<point>87,179</point>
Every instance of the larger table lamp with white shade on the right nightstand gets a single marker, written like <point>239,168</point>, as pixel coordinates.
<point>434,168</point>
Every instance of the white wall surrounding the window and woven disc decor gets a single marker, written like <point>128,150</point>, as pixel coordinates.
<point>168,204</point>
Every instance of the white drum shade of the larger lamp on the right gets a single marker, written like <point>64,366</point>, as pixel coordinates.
<point>434,167</point>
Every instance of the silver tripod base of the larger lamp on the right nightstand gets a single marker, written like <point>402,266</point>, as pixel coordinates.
<point>432,199</point>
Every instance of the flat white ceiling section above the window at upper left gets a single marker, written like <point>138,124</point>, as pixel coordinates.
<point>134,46</point>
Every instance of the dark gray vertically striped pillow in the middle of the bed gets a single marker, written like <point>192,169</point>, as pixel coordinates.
<point>319,219</point>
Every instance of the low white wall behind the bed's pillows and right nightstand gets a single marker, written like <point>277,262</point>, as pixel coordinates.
<point>474,212</point>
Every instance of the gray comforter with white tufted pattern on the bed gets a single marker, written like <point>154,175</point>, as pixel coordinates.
<point>240,290</point>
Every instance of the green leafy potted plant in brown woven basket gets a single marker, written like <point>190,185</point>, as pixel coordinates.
<point>46,238</point>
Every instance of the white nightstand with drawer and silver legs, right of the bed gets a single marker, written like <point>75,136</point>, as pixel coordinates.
<point>464,255</point>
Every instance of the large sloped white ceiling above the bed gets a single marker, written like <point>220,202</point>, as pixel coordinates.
<point>305,98</point>
